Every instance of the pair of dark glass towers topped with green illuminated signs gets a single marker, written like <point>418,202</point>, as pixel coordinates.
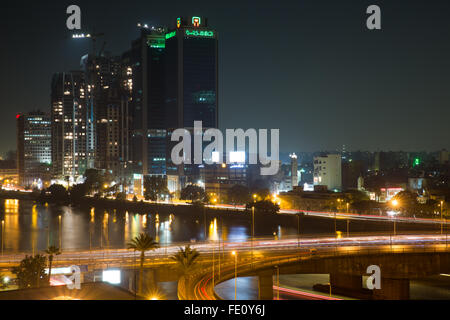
<point>173,75</point>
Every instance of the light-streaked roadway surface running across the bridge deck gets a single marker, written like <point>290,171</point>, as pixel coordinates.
<point>260,246</point>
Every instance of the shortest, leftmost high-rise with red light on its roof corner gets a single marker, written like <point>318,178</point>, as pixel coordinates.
<point>33,148</point>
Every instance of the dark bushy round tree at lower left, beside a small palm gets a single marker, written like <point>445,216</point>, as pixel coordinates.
<point>31,271</point>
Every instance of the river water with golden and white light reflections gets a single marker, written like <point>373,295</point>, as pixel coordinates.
<point>29,227</point>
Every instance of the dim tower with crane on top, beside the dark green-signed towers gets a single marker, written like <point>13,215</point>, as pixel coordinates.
<point>109,104</point>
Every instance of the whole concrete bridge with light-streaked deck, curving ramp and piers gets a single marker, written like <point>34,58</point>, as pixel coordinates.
<point>401,257</point>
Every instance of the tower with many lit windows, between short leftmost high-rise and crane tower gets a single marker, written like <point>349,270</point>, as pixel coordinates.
<point>72,122</point>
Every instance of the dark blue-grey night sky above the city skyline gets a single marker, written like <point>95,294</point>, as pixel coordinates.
<point>308,67</point>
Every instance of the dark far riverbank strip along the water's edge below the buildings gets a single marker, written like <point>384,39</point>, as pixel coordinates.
<point>265,224</point>
